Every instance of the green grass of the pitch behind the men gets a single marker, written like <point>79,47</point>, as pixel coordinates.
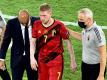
<point>65,10</point>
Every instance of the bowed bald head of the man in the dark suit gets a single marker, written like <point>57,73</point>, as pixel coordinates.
<point>23,18</point>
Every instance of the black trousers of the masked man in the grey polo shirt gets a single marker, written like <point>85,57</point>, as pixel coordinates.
<point>90,71</point>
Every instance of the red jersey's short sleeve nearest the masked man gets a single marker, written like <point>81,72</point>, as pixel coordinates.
<point>64,32</point>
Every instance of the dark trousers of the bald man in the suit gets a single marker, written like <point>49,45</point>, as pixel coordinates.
<point>17,72</point>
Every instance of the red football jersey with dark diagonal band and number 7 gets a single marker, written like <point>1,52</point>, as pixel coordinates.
<point>49,39</point>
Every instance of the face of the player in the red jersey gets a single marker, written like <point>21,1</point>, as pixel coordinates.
<point>45,16</point>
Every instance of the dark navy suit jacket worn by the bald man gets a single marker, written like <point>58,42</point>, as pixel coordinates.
<point>13,32</point>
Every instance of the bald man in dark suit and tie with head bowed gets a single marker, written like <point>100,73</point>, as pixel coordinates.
<point>19,31</point>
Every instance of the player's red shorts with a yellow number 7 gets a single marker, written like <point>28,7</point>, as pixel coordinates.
<point>52,70</point>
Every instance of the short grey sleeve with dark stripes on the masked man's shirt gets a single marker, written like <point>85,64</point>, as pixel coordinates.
<point>99,37</point>
